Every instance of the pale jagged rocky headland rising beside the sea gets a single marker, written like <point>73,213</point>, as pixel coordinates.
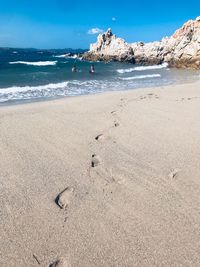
<point>181,50</point>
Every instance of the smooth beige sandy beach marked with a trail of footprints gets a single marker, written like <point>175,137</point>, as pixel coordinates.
<point>128,165</point>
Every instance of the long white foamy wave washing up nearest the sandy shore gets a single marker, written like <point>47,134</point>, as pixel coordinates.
<point>67,88</point>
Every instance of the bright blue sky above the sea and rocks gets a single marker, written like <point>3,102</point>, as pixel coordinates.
<point>63,24</point>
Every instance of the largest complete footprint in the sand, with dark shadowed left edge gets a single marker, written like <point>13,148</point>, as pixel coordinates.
<point>64,198</point>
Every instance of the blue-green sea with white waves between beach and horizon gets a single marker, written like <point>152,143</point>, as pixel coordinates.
<point>28,75</point>
